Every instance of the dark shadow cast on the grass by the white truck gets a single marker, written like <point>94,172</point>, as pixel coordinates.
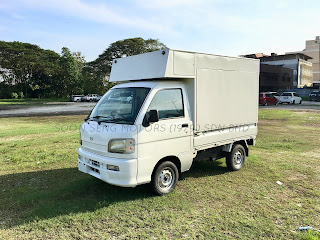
<point>40,195</point>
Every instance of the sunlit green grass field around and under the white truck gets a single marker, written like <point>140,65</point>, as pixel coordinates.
<point>43,195</point>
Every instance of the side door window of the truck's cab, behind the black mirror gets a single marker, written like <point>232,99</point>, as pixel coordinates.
<point>168,103</point>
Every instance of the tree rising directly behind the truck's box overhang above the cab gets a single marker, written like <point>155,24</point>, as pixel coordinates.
<point>99,69</point>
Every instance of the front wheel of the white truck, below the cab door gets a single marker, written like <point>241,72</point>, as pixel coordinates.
<point>165,178</point>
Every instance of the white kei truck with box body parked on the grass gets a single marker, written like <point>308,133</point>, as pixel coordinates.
<point>169,108</point>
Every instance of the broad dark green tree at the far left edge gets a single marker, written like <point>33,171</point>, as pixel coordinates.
<point>27,67</point>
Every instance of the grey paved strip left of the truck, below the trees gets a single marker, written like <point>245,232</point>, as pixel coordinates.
<point>48,109</point>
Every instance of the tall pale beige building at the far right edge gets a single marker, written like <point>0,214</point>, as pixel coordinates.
<point>313,50</point>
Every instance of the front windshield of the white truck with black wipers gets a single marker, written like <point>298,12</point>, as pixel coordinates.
<point>120,105</point>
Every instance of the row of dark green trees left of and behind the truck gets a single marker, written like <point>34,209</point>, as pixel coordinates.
<point>28,71</point>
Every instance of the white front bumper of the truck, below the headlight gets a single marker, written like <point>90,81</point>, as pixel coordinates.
<point>96,166</point>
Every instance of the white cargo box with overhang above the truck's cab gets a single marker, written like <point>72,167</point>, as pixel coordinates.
<point>223,91</point>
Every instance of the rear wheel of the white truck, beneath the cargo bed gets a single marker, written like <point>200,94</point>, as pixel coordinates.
<point>236,158</point>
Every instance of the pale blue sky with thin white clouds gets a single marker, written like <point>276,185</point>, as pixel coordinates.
<point>225,27</point>
